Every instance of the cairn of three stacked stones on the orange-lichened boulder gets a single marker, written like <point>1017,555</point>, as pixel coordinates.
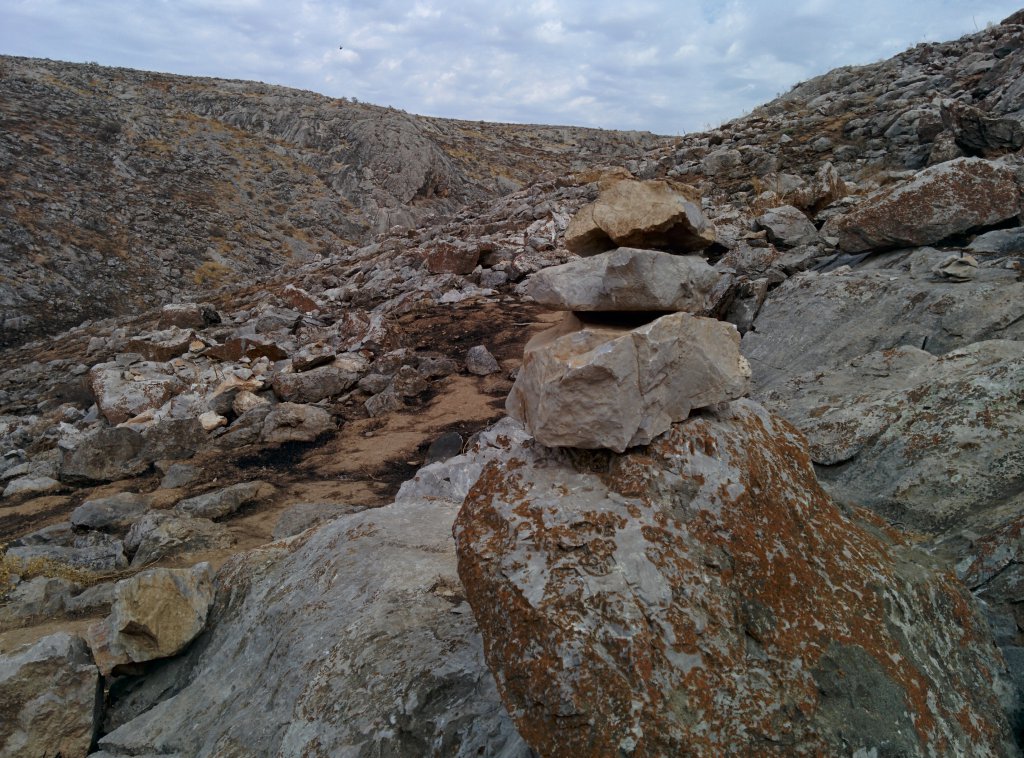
<point>635,352</point>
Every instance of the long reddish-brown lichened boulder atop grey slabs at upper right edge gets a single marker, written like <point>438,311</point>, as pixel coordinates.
<point>940,202</point>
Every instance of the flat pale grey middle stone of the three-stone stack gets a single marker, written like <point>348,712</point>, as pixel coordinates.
<point>626,280</point>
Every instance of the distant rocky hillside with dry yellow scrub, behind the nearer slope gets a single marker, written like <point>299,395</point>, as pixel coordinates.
<point>124,190</point>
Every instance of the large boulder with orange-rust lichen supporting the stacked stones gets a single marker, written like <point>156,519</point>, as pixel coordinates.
<point>705,597</point>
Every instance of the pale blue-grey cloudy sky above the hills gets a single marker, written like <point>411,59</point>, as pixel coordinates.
<point>666,66</point>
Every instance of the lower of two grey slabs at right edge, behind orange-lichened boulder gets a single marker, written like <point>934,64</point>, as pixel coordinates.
<point>931,443</point>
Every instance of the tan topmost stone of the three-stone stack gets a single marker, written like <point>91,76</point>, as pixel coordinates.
<point>658,215</point>
